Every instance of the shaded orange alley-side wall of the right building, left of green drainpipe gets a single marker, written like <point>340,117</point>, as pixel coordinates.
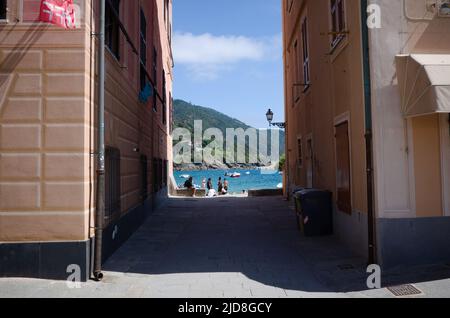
<point>335,95</point>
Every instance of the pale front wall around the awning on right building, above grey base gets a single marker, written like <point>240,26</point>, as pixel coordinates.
<point>408,151</point>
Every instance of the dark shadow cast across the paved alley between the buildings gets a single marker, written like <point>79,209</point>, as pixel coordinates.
<point>257,237</point>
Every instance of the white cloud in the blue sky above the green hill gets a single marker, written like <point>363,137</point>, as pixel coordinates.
<point>206,55</point>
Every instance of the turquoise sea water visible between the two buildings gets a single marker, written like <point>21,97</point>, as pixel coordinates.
<point>253,181</point>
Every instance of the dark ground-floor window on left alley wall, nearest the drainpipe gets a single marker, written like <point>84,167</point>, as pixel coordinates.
<point>112,184</point>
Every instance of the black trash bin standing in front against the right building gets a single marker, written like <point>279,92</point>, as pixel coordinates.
<point>314,212</point>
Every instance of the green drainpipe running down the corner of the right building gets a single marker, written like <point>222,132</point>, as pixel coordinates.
<point>372,257</point>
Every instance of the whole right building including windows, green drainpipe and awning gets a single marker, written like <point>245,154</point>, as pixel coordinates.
<point>366,102</point>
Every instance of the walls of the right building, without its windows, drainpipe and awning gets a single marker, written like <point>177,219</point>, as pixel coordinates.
<point>411,155</point>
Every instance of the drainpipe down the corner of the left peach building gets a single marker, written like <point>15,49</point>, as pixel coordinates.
<point>100,200</point>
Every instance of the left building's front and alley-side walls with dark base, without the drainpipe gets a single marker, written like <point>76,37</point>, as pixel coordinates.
<point>49,124</point>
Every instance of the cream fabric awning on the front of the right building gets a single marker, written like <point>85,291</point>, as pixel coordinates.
<point>424,83</point>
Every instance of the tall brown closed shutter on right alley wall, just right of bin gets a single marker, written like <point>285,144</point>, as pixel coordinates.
<point>343,180</point>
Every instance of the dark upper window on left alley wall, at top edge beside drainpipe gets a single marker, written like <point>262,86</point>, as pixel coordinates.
<point>112,26</point>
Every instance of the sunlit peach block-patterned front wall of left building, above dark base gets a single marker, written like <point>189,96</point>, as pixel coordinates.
<point>44,130</point>
